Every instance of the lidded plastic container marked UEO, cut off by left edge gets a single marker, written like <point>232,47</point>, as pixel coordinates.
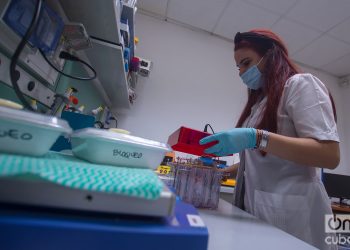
<point>29,133</point>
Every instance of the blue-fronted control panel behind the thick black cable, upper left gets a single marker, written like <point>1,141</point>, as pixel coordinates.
<point>14,16</point>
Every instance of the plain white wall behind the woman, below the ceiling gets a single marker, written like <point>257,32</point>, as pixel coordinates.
<point>194,81</point>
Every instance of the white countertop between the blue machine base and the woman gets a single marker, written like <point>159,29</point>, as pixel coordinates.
<point>232,228</point>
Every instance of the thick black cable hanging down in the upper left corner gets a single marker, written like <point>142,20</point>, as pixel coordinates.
<point>18,51</point>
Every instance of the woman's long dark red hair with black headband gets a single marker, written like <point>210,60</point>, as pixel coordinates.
<point>277,70</point>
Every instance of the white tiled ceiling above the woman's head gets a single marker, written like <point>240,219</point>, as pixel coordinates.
<point>317,32</point>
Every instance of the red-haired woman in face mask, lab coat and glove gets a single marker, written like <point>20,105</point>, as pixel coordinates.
<point>286,131</point>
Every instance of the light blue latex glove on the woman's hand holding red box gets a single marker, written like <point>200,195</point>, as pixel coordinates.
<point>231,141</point>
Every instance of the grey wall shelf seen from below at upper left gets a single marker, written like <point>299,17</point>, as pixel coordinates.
<point>102,22</point>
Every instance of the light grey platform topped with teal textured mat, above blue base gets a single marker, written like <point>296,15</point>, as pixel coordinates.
<point>62,181</point>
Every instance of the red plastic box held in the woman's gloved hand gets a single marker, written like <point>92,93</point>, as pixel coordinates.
<point>187,140</point>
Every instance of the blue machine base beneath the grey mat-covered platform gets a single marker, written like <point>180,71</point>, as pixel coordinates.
<point>90,231</point>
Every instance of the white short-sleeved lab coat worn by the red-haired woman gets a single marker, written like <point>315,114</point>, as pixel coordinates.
<point>283,193</point>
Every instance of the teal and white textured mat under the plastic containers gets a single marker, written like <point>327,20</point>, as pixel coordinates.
<point>71,172</point>
